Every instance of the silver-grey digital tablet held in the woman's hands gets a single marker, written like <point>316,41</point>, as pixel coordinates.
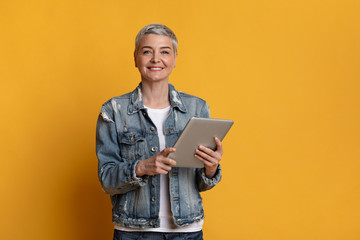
<point>198,131</point>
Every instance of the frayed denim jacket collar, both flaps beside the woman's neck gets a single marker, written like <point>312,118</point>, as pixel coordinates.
<point>136,100</point>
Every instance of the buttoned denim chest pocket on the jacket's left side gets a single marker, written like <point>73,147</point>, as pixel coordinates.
<point>132,145</point>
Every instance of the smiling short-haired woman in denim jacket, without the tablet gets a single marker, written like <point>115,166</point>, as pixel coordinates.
<point>151,197</point>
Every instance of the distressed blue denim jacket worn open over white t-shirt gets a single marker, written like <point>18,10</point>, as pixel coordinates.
<point>126,135</point>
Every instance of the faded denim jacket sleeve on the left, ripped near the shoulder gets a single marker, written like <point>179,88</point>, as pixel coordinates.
<point>116,175</point>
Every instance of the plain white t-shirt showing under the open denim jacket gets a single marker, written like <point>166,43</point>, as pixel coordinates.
<point>158,116</point>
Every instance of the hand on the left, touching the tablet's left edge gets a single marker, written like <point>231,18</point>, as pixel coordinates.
<point>157,164</point>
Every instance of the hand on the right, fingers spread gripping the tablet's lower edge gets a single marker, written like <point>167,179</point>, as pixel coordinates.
<point>210,158</point>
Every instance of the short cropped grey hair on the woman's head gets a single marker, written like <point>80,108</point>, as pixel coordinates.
<point>157,29</point>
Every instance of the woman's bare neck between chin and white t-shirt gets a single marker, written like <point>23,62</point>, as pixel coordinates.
<point>155,94</point>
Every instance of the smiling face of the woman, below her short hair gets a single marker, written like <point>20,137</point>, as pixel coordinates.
<point>155,58</point>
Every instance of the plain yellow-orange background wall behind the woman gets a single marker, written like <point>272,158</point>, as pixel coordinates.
<point>287,72</point>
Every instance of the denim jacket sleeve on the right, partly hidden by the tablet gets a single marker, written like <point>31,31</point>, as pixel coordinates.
<point>203,182</point>
